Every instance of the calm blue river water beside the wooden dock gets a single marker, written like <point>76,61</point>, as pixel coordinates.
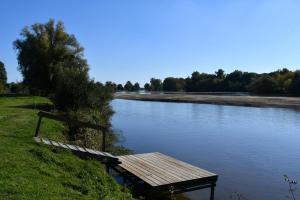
<point>250,148</point>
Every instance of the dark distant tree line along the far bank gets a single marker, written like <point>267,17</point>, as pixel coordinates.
<point>280,82</point>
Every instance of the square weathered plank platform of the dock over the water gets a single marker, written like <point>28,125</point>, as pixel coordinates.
<point>161,171</point>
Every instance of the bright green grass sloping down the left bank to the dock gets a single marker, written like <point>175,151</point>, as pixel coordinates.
<point>34,171</point>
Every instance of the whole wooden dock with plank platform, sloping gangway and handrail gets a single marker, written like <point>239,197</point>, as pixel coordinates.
<point>155,171</point>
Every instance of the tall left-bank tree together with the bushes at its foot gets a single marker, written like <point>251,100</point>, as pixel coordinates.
<point>52,64</point>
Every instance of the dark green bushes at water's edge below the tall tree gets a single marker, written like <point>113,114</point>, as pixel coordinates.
<point>82,99</point>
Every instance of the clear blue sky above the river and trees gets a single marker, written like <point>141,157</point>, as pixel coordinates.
<point>139,39</point>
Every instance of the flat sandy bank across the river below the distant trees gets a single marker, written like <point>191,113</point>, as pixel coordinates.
<point>246,100</point>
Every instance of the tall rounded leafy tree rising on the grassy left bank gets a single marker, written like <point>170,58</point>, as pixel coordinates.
<point>44,51</point>
